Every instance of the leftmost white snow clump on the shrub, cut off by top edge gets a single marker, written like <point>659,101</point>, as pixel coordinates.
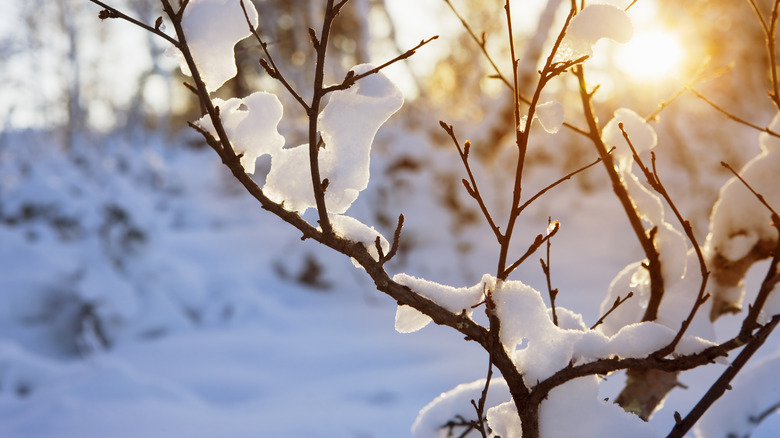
<point>212,28</point>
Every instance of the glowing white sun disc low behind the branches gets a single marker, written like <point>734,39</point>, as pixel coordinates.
<point>650,55</point>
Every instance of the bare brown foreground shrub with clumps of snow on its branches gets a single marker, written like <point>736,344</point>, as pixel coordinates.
<point>549,359</point>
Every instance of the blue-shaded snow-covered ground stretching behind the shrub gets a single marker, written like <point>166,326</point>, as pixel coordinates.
<point>209,333</point>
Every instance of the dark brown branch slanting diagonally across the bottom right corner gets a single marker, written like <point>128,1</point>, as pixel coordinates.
<point>723,383</point>
